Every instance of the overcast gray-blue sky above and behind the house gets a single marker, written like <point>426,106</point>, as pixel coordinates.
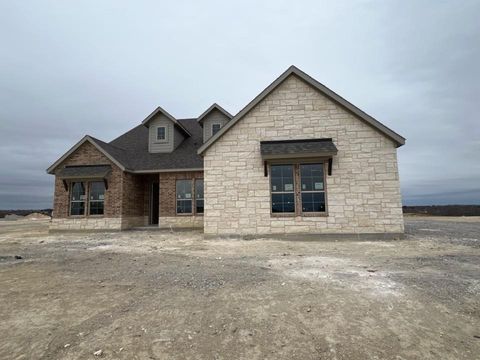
<point>70,68</point>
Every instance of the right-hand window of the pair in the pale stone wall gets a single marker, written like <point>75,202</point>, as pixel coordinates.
<point>312,188</point>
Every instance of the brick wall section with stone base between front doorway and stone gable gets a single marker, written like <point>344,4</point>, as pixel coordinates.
<point>168,215</point>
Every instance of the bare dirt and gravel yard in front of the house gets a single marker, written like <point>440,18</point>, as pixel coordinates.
<point>162,295</point>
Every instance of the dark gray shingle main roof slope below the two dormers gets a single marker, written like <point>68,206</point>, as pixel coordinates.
<point>131,149</point>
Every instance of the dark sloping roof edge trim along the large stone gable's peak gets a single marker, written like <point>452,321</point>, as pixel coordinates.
<point>292,70</point>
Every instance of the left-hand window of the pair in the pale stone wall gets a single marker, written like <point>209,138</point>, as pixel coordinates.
<point>283,190</point>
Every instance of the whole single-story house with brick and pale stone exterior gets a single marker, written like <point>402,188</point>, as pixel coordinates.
<point>298,159</point>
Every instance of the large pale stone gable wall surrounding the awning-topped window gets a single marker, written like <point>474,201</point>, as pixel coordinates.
<point>363,192</point>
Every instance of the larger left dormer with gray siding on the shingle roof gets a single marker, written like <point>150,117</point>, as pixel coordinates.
<point>165,133</point>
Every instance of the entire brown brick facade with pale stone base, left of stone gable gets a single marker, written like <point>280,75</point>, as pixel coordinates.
<point>127,198</point>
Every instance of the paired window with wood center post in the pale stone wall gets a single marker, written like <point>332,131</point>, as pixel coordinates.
<point>305,180</point>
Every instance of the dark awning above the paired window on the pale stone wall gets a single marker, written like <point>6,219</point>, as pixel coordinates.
<point>289,149</point>
